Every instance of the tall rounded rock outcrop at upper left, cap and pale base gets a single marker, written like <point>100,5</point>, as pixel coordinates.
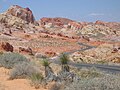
<point>17,18</point>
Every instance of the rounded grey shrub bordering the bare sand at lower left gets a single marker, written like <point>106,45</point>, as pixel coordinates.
<point>24,70</point>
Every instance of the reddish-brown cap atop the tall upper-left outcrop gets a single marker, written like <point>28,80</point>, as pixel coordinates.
<point>23,13</point>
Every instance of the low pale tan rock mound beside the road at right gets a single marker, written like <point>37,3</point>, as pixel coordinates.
<point>102,54</point>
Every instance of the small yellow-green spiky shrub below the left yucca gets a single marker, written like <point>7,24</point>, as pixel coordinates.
<point>36,79</point>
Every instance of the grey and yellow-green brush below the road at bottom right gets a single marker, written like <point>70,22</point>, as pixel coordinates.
<point>91,79</point>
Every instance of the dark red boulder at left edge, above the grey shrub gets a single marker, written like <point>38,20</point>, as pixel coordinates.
<point>5,46</point>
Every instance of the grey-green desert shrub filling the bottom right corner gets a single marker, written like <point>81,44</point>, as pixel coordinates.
<point>107,82</point>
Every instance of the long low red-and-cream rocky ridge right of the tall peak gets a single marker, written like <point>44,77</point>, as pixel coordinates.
<point>77,29</point>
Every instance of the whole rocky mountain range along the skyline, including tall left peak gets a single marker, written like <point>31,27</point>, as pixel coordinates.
<point>17,18</point>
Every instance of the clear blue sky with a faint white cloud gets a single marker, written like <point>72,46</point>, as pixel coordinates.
<point>79,10</point>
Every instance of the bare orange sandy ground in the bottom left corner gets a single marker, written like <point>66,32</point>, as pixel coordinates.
<point>17,84</point>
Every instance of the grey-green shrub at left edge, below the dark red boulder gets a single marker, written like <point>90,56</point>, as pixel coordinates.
<point>9,60</point>
